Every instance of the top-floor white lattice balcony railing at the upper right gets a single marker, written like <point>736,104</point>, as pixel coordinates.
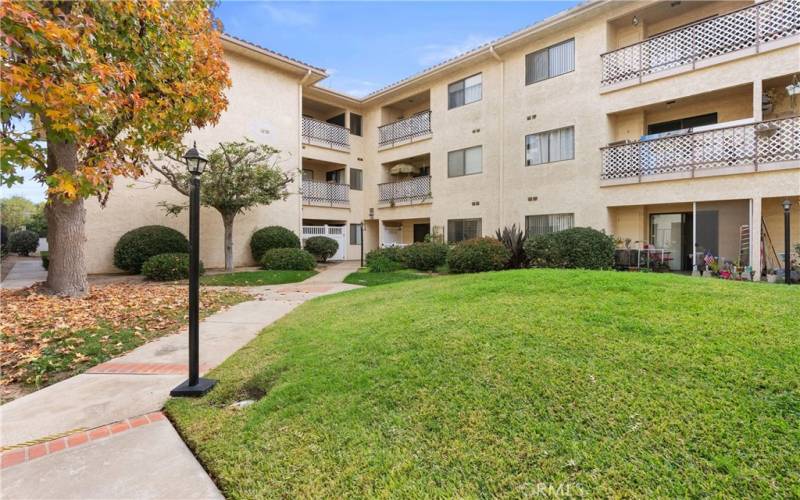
<point>702,43</point>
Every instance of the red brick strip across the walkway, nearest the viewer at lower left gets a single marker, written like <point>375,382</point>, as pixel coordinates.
<point>24,454</point>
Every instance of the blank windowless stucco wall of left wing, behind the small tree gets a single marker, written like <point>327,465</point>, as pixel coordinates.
<point>269,117</point>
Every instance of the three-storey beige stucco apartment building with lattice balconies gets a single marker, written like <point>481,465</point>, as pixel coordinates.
<point>675,125</point>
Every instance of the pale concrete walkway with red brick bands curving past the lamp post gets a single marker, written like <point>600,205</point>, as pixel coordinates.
<point>80,460</point>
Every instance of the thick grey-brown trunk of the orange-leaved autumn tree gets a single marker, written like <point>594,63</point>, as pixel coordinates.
<point>66,236</point>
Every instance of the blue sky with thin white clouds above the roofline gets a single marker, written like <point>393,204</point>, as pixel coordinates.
<point>365,45</point>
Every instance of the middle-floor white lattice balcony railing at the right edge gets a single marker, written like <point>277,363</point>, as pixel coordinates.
<point>767,145</point>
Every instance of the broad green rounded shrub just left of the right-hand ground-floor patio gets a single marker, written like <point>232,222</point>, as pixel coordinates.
<point>579,247</point>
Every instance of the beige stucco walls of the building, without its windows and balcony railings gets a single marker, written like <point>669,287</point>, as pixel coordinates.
<point>506,191</point>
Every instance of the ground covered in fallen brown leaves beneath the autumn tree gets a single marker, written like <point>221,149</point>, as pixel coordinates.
<point>43,336</point>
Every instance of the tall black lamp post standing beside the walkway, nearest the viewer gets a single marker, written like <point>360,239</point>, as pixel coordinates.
<point>194,386</point>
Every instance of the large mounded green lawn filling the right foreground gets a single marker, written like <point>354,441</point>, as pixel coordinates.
<point>502,384</point>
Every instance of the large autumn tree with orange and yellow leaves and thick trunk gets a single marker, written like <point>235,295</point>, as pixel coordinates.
<point>89,89</point>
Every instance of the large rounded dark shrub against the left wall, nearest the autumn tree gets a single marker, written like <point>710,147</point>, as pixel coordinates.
<point>138,245</point>
